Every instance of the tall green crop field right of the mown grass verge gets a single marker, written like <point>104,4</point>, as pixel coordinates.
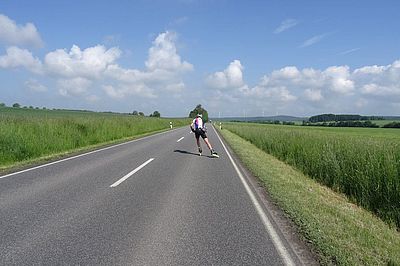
<point>365,168</point>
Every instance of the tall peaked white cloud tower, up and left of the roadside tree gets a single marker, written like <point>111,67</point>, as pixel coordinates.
<point>163,55</point>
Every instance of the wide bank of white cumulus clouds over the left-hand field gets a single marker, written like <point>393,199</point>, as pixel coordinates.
<point>76,70</point>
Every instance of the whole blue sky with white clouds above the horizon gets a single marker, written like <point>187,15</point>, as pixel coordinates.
<point>234,57</point>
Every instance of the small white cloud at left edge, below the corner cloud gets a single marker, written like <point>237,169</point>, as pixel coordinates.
<point>16,57</point>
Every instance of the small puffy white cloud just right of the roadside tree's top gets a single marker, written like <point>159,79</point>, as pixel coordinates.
<point>231,77</point>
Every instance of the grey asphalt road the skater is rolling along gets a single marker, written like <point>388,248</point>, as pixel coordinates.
<point>177,209</point>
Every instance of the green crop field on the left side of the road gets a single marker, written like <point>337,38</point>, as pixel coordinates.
<point>27,134</point>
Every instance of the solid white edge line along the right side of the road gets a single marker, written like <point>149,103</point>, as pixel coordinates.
<point>264,218</point>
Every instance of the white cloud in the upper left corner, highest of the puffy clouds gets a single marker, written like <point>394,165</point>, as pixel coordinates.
<point>13,34</point>
